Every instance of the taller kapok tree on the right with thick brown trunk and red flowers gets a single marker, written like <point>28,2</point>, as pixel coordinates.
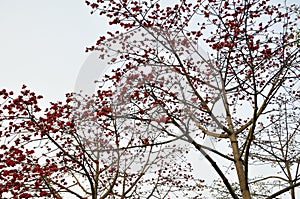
<point>243,90</point>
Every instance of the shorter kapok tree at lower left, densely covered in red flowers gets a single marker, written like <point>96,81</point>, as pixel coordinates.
<point>76,149</point>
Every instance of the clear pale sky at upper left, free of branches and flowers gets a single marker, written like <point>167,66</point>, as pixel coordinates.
<point>42,44</point>
